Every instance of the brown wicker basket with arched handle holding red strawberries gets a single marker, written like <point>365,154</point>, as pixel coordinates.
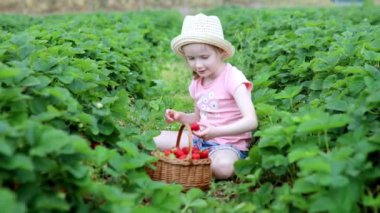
<point>187,172</point>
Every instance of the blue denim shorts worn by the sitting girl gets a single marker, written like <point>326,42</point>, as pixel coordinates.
<point>212,147</point>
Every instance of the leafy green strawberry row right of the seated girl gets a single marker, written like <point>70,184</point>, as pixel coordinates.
<point>316,75</point>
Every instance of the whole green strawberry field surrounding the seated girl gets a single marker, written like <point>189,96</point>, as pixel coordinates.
<point>83,95</point>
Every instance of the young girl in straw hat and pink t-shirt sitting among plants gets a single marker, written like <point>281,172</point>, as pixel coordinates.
<point>222,96</point>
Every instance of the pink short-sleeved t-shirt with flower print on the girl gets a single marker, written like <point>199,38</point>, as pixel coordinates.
<point>217,106</point>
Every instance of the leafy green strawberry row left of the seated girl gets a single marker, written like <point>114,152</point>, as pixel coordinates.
<point>71,87</point>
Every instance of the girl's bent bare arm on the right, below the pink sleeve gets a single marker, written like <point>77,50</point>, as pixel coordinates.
<point>247,123</point>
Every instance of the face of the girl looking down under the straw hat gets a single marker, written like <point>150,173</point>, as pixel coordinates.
<point>205,60</point>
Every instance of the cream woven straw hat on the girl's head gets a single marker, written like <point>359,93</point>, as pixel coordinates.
<point>202,29</point>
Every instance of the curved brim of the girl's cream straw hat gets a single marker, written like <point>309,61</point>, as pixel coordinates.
<point>181,40</point>
